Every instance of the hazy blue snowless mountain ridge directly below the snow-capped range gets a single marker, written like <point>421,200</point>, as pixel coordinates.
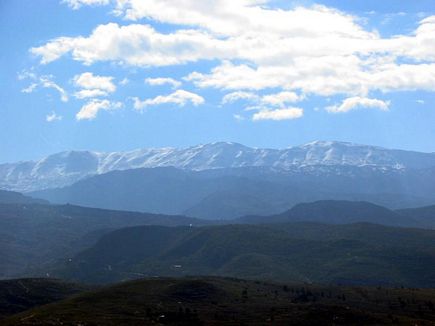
<point>236,192</point>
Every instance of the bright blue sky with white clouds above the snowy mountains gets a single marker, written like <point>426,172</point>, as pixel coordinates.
<point>116,75</point>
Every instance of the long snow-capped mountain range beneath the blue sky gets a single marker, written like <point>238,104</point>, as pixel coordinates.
<point>65,168</point>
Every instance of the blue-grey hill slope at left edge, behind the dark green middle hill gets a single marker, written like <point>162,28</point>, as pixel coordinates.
<point>32,236</point>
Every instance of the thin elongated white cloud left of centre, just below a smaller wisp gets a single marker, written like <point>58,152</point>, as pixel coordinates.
<point>179,97</point>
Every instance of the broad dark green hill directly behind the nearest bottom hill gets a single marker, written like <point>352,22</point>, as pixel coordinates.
<point>361,254</point>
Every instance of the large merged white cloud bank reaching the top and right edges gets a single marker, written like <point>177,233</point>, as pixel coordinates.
<point>304,50</point>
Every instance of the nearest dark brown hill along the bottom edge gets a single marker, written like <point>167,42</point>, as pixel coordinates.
<point>217,301</point>
